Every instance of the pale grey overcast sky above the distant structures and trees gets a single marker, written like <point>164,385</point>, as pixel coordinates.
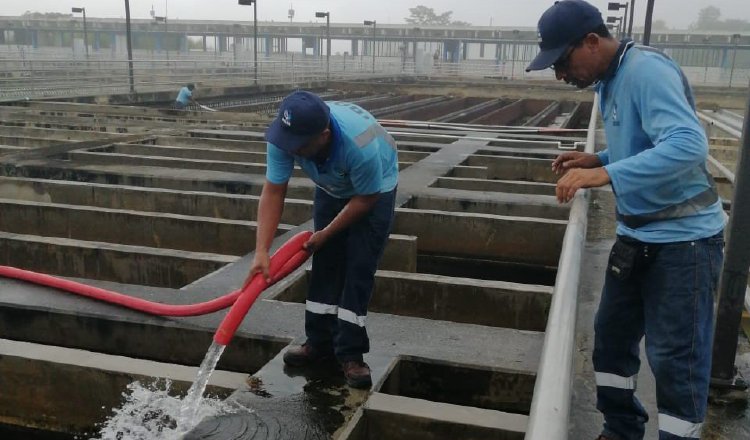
<point>521,13</point>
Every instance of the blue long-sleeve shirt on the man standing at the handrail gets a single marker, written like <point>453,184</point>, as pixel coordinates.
<point>656,147</point>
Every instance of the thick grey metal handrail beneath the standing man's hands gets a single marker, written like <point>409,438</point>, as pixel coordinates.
<point>550,406</point>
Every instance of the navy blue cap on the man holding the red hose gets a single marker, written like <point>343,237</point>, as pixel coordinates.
<point>302,116</point>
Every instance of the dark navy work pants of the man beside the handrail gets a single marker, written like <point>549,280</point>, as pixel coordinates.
<point>669,299</point>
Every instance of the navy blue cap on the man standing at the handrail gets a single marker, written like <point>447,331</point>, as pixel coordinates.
<point>563,24</point>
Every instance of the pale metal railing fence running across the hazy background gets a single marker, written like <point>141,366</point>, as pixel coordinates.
<point>27,72</point>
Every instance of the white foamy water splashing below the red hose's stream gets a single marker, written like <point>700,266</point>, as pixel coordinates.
<point>150,413</point>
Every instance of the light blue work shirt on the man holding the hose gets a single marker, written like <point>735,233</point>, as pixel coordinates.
<point>362,160</point>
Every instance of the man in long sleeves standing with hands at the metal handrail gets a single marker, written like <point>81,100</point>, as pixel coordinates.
<point>664,266</point>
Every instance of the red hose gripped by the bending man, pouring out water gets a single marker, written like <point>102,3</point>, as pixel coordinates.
<point>287,258</point>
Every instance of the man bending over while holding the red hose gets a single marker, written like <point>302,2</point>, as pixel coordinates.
<point>353,162</point>
